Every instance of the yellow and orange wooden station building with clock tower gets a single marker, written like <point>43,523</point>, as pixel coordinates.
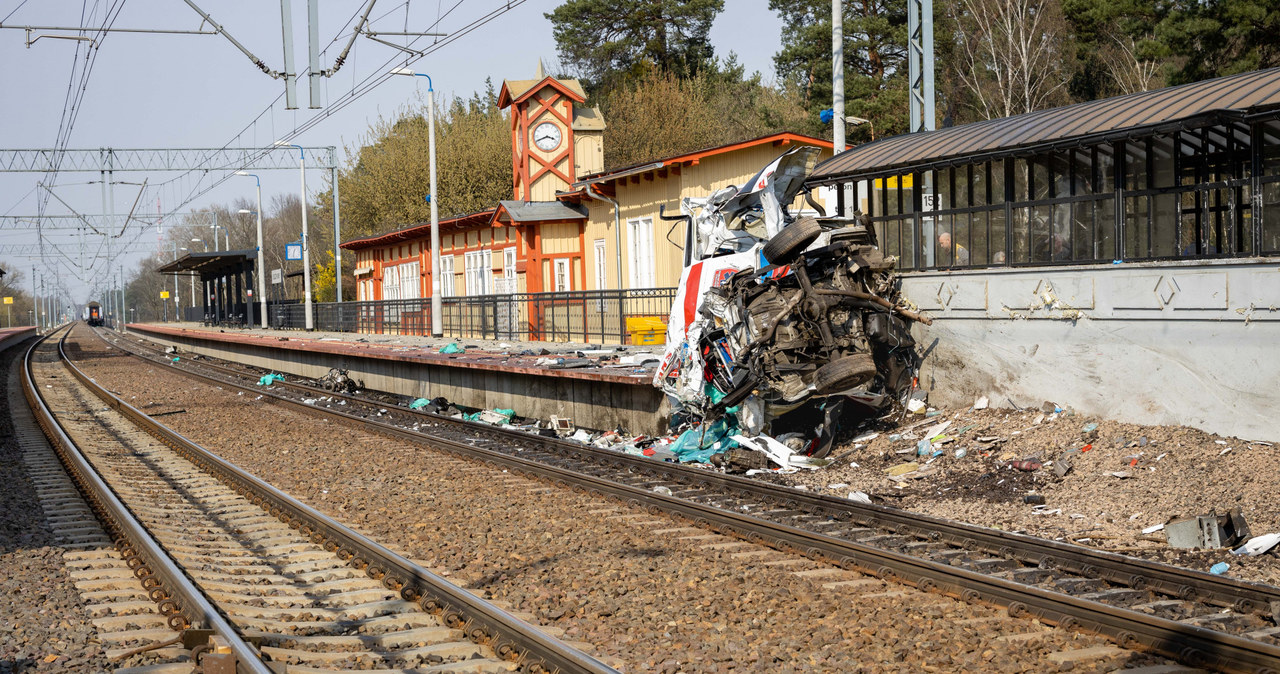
<point>557,232</point>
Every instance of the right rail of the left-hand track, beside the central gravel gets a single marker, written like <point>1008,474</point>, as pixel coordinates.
<point>510,638</point>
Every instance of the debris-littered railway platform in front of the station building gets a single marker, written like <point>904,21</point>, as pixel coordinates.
<point>593,386</point>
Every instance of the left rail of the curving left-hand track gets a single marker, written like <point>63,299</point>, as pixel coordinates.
<point>177,597</point>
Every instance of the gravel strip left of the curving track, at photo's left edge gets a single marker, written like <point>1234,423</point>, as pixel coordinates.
<point>44,626</point>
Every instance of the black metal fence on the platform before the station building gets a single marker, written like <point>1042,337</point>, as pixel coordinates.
<point>586,317</point>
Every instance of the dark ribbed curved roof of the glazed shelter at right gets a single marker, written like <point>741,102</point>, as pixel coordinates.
<point>1121,116</point>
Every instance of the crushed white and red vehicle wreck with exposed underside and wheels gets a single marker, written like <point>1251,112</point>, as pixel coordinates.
<point>784,322</point>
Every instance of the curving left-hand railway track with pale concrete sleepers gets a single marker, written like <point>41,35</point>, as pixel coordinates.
<point>243,576</point>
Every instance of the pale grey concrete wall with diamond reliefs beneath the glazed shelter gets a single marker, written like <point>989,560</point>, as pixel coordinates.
<point>1187,343</point>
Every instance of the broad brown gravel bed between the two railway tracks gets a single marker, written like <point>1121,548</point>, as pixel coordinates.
<point>651,600</point>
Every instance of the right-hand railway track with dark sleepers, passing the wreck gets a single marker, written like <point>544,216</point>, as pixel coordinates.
<point>1200,620</point>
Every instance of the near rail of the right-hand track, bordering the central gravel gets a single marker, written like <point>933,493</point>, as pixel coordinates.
<point>1191,645</point>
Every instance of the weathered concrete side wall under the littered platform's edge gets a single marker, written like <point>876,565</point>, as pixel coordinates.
<point>591,404</point>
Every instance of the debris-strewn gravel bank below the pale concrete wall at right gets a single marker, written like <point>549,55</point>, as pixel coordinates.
<point>1164,473</point>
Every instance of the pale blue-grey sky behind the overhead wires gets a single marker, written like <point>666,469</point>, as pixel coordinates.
<point>185,91</point>
